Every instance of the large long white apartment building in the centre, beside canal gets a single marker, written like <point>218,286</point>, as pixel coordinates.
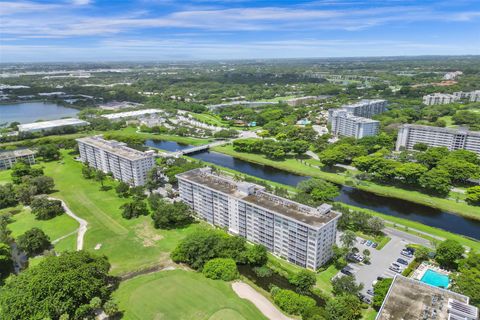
<point>301,234</point>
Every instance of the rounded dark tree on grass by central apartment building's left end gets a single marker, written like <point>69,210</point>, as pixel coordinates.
<point>171,215</point>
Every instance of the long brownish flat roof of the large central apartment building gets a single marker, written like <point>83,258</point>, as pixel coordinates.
<point>256,195</point>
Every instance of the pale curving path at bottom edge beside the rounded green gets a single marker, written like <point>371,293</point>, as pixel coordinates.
<point>245,291</point>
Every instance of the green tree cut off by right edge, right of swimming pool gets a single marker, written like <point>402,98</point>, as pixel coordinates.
<point>467,280</point>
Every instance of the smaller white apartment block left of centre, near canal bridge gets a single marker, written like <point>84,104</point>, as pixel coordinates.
<point>126,164</point>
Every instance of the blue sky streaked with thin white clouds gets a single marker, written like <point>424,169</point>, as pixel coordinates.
<point>171,30</point>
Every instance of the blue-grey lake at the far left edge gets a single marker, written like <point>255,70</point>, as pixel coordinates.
<point>27,112</point>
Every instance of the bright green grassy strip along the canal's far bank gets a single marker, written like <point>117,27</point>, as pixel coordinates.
<point>292,165</point>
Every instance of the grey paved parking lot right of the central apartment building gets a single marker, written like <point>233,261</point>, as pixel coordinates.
<point>380,262</point>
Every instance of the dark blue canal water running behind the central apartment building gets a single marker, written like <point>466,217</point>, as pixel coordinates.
<point>363,199</point>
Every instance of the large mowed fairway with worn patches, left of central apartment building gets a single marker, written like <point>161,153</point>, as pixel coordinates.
<point>130,245</point>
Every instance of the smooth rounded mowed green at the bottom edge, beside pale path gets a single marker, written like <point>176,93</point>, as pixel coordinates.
<point>180,294</point>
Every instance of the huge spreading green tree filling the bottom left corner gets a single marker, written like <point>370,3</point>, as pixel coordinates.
<point>58,285</point>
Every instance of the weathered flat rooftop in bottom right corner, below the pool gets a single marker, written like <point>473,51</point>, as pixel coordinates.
<point>409,299</point>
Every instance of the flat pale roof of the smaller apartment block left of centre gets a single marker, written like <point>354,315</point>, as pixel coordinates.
<point>115,147</point>
